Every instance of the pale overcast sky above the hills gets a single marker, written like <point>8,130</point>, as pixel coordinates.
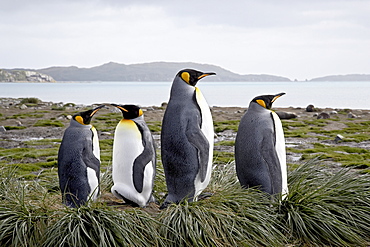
<point>299,39</point>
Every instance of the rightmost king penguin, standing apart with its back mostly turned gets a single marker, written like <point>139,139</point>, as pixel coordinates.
<point>260,157</point>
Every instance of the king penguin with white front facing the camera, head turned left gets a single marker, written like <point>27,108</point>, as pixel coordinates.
<point>134,158</point>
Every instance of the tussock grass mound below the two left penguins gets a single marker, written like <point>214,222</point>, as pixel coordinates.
<point>98,225</point>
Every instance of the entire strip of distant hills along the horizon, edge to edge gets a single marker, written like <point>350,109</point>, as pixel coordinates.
<point>152,71</point>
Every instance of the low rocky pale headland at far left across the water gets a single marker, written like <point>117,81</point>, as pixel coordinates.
<point>23,76</point>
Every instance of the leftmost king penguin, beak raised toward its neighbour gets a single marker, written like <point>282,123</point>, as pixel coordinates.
<point>79,160</point>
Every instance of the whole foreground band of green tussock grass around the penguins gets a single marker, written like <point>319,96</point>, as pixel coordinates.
<point>324,208</point>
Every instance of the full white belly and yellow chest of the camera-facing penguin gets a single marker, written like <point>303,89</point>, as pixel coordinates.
<point>127,146</point>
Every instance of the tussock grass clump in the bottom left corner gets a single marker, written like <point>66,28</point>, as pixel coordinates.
<point>24,211</point>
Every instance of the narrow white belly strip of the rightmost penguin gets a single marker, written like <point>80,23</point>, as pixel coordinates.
<point>280,150</point>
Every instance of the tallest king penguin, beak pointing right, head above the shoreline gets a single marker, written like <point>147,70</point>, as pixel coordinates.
<point>187,138</point>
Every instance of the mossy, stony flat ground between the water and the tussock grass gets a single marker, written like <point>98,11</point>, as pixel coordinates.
<point>21,122</point>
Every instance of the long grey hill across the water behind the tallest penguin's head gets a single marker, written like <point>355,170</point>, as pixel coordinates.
<point>156,71</point>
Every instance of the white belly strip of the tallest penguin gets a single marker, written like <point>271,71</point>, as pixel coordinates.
<point>208,131</point>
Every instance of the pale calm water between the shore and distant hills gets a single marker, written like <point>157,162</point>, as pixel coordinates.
<point>353,95</point>
